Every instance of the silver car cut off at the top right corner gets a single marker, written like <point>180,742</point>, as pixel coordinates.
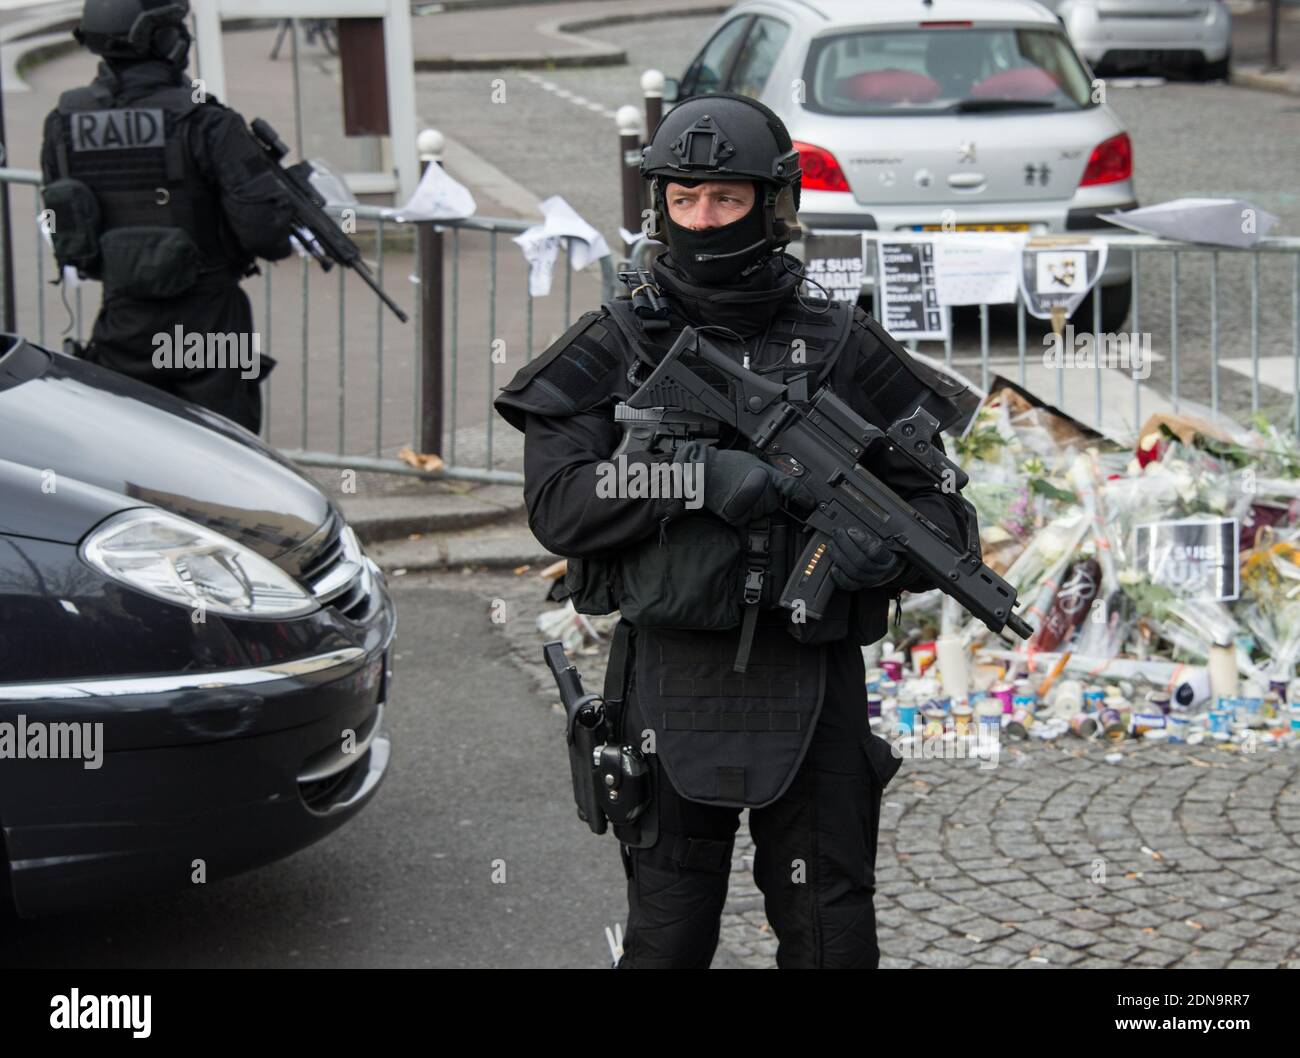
<point>1151,36</point>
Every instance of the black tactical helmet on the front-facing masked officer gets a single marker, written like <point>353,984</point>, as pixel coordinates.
<point>727,137</point>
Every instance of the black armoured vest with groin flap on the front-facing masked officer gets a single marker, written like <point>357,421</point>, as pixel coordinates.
<point>733,722</point>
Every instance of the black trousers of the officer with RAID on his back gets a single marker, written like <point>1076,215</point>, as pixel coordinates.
<point>124,340</point>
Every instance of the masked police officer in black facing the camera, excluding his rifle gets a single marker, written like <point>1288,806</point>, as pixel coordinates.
<point>734,701</point>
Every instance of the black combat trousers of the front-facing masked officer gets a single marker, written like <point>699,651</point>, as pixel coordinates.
<point>814,849</point>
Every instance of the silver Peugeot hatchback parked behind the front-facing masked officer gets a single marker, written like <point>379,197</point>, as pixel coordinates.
<point>908,115</point>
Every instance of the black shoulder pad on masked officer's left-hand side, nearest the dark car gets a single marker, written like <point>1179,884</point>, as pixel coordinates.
<point>577,372</point>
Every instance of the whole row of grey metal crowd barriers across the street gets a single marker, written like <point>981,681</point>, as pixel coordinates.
<point>362,387</point>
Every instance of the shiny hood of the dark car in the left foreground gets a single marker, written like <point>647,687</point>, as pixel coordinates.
<point>81,426</point>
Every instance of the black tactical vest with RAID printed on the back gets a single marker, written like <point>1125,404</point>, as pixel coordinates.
<point>129,207</point>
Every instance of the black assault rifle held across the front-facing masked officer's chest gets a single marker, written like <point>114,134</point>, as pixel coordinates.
<point>822,444</point>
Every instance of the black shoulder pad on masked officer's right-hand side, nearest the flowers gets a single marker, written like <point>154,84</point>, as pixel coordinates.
<point>896,383</point>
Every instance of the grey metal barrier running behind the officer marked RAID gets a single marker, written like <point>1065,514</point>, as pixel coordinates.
<point>361,387</point>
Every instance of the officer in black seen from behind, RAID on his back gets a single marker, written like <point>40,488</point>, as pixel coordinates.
<point>162,194</point>
